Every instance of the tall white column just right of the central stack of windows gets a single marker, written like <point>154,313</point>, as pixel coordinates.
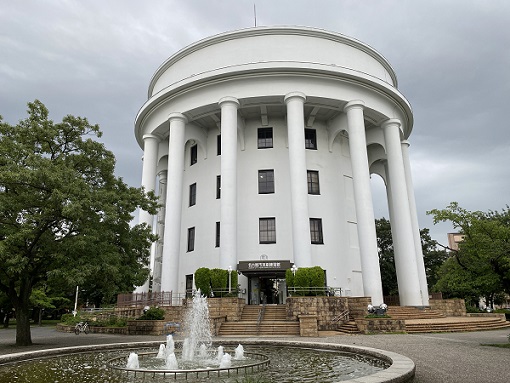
<point>301,239</point>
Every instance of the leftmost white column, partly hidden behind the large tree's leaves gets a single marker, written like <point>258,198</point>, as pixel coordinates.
<point>150,158</point>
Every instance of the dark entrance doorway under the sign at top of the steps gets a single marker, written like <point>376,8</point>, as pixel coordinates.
<point>269,290</point>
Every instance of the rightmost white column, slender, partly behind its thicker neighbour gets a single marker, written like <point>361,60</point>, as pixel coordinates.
<point>416,228</point>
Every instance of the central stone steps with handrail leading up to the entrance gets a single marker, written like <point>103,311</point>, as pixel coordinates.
<point>274,322</point>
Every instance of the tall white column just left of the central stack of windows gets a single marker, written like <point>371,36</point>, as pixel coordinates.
<point>228,203</point>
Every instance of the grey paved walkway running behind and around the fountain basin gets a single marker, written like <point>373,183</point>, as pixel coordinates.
<point>439,357</point>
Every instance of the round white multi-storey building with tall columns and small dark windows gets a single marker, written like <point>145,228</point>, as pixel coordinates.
<point>261,143</point>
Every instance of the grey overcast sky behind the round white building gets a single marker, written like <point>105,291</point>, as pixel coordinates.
<point>95,58</point>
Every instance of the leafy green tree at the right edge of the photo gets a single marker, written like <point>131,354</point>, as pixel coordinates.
<point>481,265</point>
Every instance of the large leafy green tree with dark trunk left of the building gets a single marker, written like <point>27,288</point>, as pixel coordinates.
<point>64,216</point>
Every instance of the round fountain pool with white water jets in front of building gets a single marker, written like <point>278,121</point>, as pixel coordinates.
<point>194,359</point>
